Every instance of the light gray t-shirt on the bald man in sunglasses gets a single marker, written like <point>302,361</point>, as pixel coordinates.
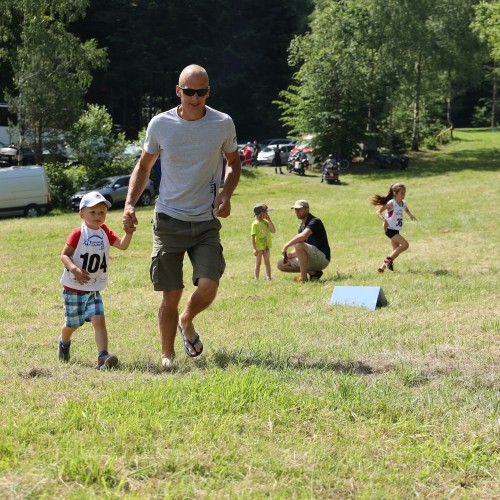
<point>191,161</point>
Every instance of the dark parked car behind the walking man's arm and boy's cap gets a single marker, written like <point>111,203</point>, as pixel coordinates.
<point>114,189</point>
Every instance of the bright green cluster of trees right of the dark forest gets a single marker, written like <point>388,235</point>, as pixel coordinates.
<point>392,66</point>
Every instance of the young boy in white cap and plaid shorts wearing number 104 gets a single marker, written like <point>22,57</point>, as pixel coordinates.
<point>86,260</point>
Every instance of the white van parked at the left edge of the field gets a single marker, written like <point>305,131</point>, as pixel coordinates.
<point>24,191</point>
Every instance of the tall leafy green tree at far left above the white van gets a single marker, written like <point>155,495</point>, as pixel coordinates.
<point>51,68</point>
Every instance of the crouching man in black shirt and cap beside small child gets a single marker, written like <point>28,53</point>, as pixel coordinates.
<point>312,252</point>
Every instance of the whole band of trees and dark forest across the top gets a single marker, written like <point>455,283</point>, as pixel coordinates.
<point>397,70</point>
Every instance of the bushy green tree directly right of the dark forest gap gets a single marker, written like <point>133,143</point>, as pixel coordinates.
<point>334,85</point>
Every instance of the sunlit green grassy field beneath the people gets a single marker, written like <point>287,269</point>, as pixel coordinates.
<point>293,397</point>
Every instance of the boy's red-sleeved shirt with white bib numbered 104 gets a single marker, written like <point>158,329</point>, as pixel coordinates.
<point>92,254</point>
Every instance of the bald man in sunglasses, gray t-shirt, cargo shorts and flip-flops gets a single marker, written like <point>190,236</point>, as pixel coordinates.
<point>191,141</point>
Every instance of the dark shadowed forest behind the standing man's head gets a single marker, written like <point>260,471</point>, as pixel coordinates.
<point>243,45</point>
